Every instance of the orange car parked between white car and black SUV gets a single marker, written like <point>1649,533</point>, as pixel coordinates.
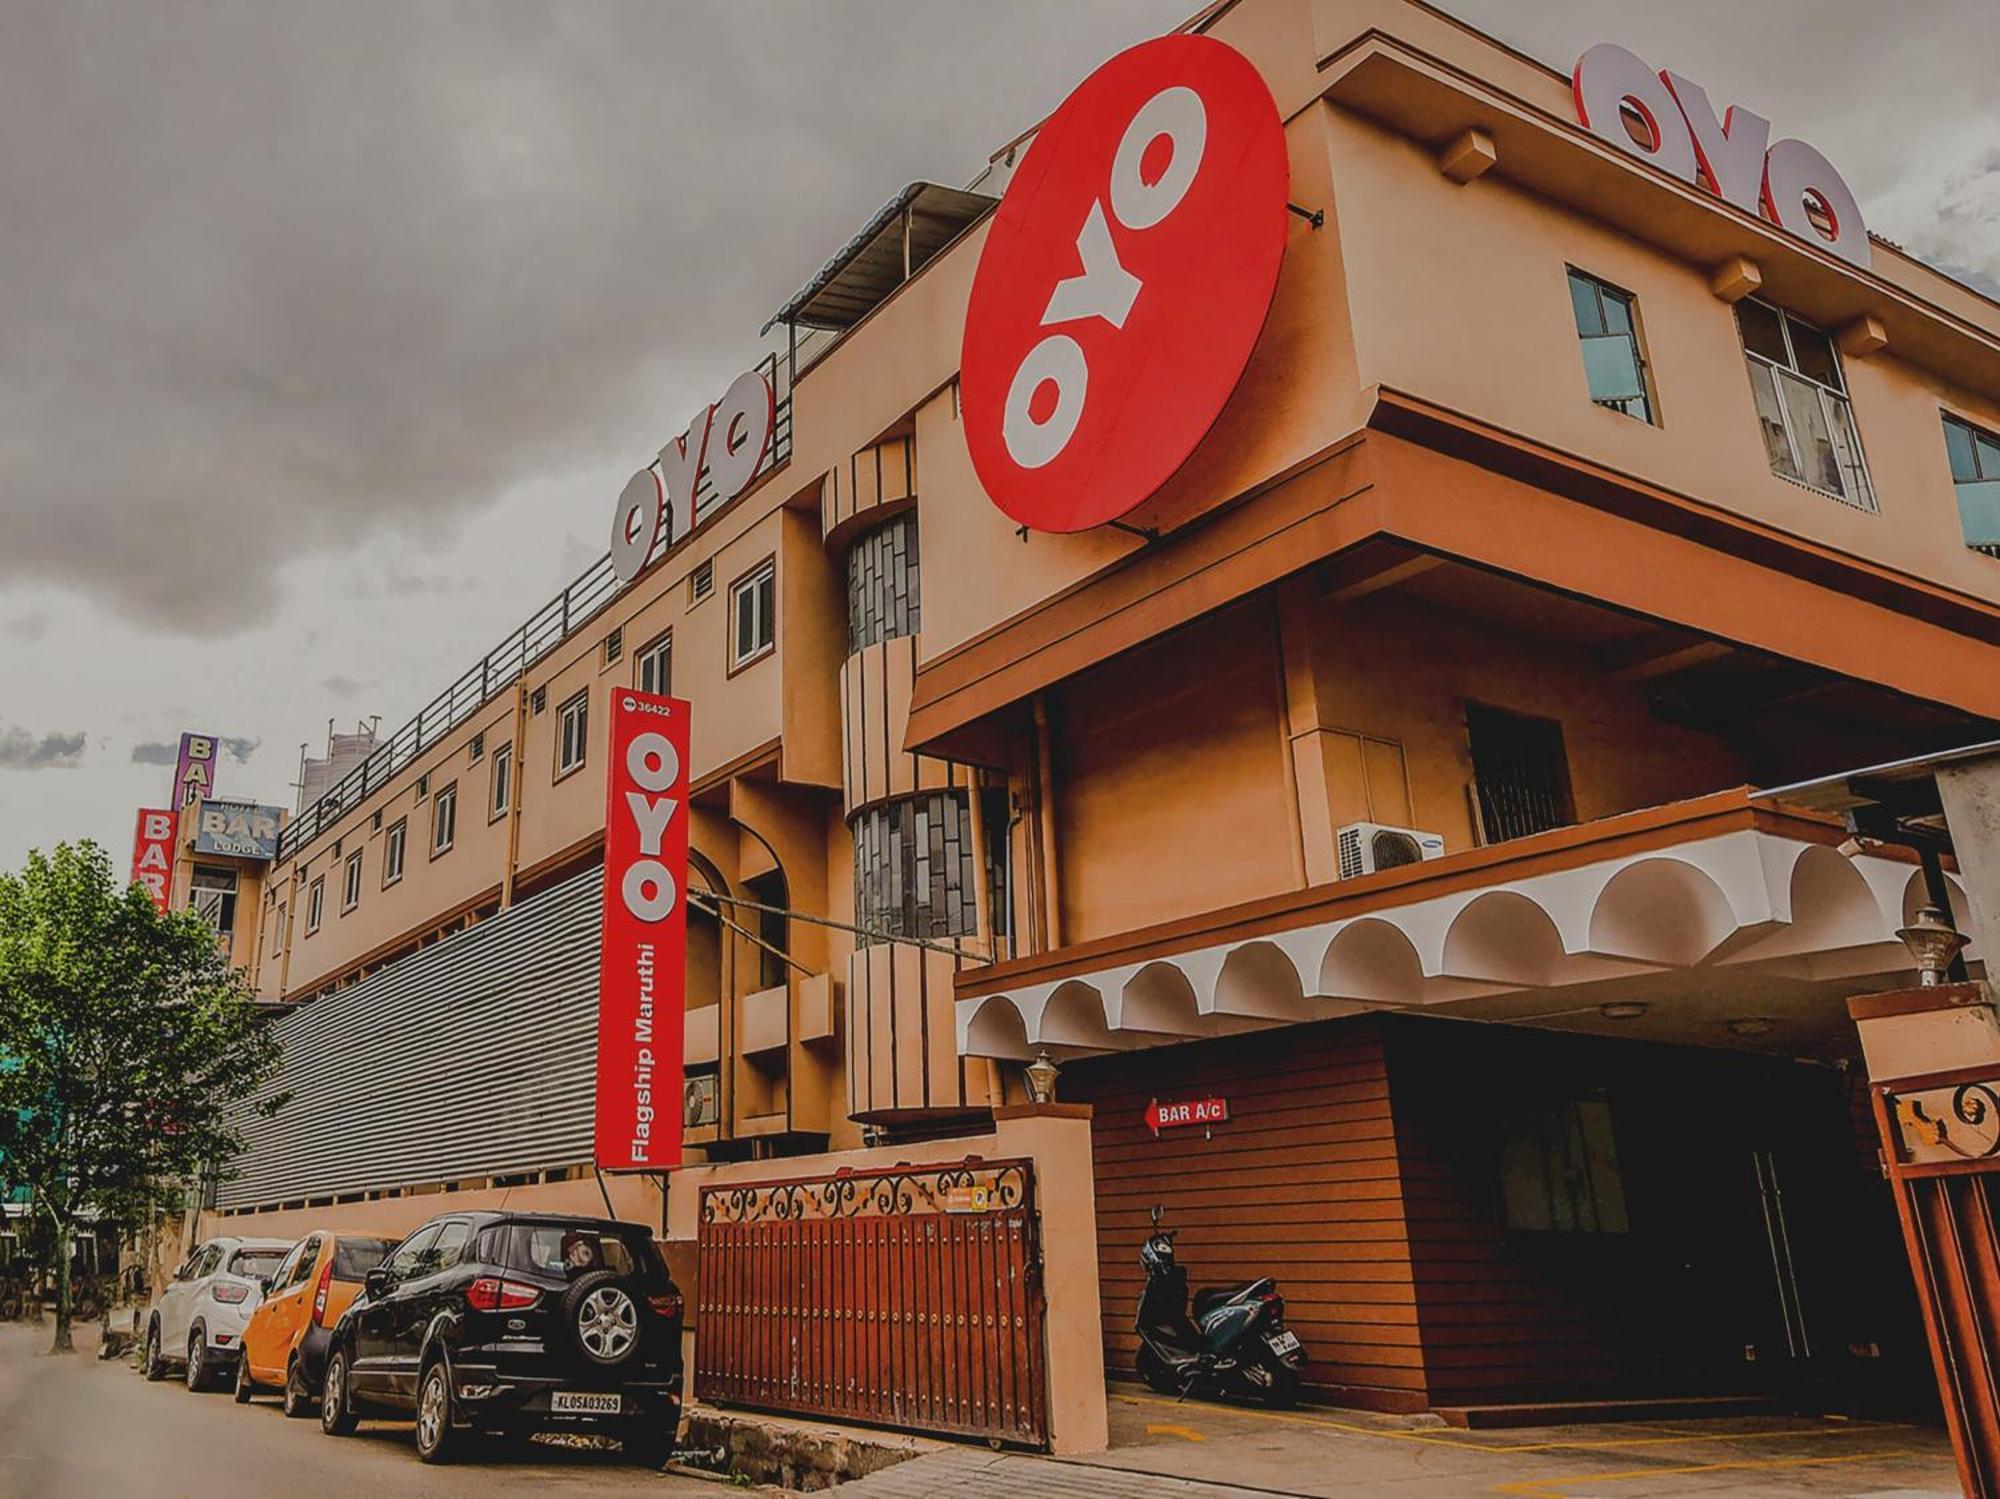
<point>285,1344</point>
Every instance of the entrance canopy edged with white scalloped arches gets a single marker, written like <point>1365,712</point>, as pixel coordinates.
<point>1709,922</point>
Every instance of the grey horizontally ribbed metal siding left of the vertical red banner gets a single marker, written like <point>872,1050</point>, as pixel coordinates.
<point>471,1058</point>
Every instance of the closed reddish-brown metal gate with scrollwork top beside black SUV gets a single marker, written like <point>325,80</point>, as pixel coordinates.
<point>907,1298</point>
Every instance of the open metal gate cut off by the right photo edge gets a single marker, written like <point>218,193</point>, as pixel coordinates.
<point>1941,1136</point>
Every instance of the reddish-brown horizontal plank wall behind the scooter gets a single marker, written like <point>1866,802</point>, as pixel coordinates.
<point>1303,1184</point>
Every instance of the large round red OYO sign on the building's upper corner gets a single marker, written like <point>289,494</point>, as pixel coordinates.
<point>1125,283</point>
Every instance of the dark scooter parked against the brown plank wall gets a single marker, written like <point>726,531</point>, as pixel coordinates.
<point>1235,1344</point>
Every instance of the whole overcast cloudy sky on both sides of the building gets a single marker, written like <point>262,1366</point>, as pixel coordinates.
<point>335,329</point>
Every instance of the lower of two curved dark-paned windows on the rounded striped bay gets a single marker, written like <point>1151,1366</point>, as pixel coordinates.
<point>913,868</point>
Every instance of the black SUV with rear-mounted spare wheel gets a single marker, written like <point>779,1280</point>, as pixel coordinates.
<point>515,1324</point>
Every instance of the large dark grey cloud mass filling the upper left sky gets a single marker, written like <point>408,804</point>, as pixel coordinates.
<point>283,277</point>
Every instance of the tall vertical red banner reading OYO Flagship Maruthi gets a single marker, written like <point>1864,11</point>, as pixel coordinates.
<point>645,946</point>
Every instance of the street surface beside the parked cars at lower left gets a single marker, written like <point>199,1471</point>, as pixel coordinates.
<point>75,1428</point>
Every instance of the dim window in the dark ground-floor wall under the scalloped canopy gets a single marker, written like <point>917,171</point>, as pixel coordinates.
<point>1559,1170</point>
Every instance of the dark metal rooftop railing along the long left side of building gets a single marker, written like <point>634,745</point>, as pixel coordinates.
<point>505,665</point>
